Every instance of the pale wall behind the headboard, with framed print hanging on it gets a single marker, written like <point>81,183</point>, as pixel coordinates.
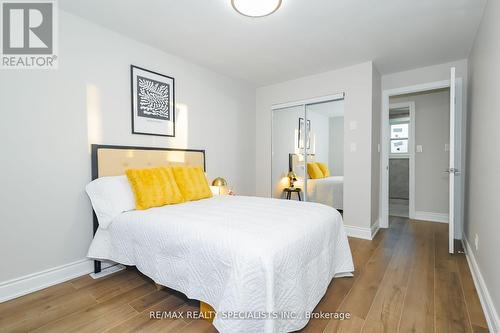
<point>49,118</point>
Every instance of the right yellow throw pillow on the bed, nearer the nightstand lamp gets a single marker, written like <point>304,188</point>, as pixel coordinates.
<point>192,183</point>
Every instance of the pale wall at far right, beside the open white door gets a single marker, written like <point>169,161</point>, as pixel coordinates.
<point>483,181</point>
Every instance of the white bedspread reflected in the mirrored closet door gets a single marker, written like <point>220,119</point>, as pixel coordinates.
<point>327,191</point>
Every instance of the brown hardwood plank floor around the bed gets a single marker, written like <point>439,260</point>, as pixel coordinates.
<point>404,281</point>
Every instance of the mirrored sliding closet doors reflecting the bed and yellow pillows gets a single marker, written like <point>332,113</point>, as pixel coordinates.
<point>308,151</point>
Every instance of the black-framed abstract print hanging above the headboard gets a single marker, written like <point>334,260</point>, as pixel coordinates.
<point>159,122</point>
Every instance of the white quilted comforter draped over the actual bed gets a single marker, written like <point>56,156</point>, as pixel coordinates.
<point>257,255</point>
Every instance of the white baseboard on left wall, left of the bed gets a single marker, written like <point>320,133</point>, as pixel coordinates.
<point>33,282</point>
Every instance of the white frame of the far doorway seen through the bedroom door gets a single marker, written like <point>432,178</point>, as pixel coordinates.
<point>411,154</point>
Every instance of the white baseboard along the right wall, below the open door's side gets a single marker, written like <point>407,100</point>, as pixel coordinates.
<point>489,310</point>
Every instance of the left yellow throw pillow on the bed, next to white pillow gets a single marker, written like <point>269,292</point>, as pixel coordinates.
<point>154,187</point>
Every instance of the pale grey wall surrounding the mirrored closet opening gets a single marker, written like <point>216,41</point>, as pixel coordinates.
<point>356,82</point>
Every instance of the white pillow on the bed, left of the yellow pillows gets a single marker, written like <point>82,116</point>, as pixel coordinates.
<point>110,196</point>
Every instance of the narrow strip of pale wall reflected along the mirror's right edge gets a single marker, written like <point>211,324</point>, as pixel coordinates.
<point>336,162</point>
